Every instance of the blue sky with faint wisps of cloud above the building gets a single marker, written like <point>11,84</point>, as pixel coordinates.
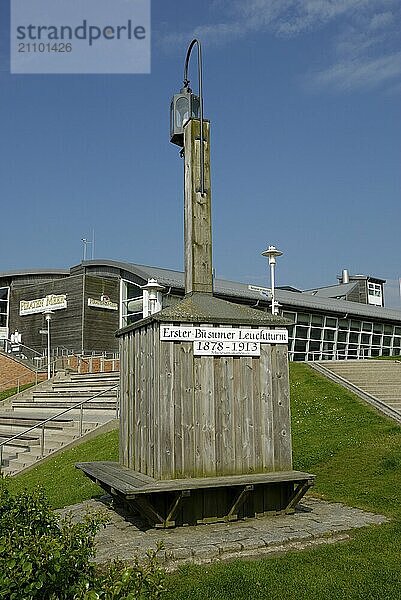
<point>304,97</point>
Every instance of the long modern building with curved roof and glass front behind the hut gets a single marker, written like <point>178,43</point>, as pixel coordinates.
<point>89,302</point>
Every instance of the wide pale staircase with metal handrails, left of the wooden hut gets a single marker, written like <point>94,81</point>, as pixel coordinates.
<point>54,399</point>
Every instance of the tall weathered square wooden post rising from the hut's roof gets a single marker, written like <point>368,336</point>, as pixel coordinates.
<point>197,212</point>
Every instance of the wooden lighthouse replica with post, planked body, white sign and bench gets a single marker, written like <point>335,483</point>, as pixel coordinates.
<point>205,432</point>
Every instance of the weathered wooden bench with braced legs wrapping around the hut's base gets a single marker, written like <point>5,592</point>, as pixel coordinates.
<point>213,499</point>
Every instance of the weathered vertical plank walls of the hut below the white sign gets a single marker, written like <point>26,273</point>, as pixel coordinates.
<point>186,416</point>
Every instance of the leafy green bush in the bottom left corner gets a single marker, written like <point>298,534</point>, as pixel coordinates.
<point>44,558</point>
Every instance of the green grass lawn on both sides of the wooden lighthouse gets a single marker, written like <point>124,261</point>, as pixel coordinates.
<point>356,456</point>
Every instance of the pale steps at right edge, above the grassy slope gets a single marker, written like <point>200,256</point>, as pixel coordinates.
<point>376,381</point>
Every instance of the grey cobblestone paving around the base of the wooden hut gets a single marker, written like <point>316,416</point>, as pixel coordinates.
<point>315,522</point>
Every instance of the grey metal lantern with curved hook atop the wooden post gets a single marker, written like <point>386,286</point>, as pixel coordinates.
<point>185,106</point>
